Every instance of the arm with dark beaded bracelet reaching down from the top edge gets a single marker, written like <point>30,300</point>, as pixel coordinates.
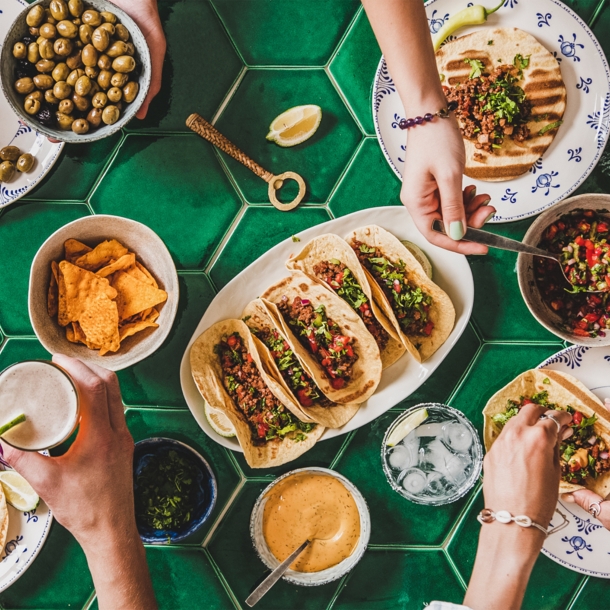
<point>434,161</point>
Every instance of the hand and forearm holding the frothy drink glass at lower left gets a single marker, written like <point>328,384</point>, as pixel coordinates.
<point>90,490</point>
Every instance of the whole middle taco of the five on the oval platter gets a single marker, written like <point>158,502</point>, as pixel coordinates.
<point>328,336</point>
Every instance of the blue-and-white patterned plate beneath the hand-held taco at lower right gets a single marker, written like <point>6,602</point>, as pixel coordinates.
<point>584,545</point>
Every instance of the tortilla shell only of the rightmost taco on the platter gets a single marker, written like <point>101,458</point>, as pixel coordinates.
<point>442,312</point>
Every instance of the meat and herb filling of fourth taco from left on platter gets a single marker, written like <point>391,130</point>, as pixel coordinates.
<point>342,281</point>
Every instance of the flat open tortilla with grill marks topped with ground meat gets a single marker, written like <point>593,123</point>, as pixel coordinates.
<point>509,98</point>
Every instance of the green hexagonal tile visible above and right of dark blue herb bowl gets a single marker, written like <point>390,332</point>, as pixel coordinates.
<point>181,425</point>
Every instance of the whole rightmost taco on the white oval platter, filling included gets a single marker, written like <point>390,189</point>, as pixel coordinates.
<point>422,313</point>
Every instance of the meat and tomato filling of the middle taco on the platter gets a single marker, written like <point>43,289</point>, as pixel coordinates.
<point>322,338</point>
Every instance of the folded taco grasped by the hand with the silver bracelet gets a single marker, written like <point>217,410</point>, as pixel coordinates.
<point>585,456</point>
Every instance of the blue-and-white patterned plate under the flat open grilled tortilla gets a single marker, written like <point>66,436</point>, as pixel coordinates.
<point>581,139</point>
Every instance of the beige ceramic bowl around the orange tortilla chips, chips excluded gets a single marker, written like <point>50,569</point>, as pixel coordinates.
<point>150,251</point>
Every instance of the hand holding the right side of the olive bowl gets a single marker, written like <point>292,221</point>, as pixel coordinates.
<point>146,14</point>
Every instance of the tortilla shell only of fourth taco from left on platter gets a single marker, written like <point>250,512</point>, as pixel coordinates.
<point>326,247</point>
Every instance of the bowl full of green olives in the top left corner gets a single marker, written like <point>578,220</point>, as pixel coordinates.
<point>74,70</point>
